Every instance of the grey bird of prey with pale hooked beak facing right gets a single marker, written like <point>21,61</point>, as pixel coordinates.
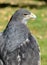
<point>17,45</point>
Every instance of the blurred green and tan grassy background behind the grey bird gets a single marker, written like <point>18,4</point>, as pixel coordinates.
<point>38,27</point>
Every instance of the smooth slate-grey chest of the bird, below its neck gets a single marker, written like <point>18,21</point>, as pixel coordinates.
<point>16,36</point>
